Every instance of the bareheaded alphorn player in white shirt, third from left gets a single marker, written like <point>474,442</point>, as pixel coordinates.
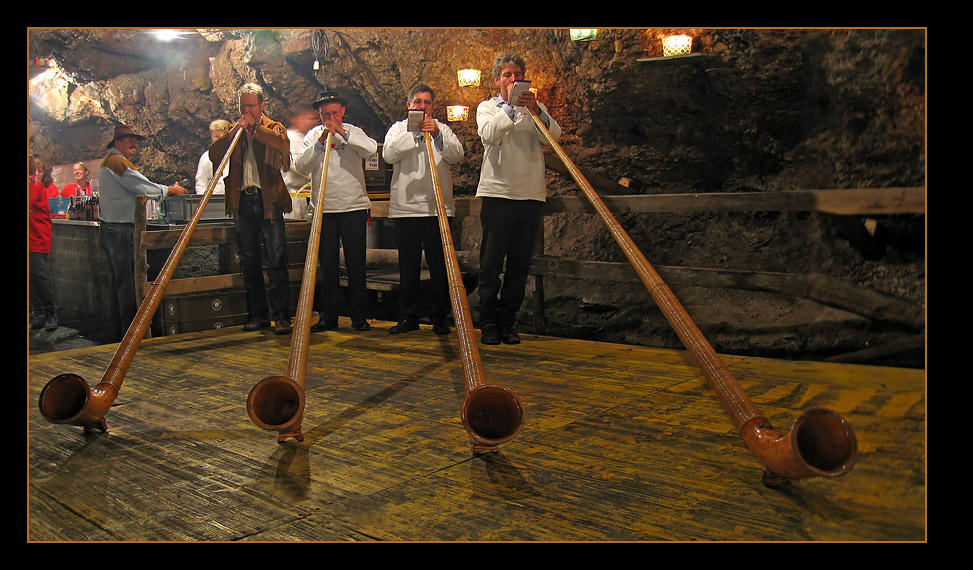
<point>412,207</point>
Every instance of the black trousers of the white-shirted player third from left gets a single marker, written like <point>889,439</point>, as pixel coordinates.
<point>412,237</point>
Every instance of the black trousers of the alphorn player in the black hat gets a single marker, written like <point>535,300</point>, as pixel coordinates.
<point>343,230</point>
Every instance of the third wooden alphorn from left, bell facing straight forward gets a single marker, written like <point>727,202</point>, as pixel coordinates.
<point>492,414</point>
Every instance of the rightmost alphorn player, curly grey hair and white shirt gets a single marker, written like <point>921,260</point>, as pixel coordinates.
<point>512,190</point>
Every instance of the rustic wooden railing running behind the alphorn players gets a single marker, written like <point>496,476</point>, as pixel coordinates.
<point>864,301</point>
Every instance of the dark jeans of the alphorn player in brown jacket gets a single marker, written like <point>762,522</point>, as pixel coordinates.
<point>252,228</point>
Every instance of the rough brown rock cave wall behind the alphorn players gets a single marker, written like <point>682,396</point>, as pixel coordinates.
<point>769,110</point>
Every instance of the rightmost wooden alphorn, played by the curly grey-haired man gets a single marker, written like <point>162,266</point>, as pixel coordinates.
<point>820,443</point>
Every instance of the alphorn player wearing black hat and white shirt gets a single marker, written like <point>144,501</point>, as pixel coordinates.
<point>345,208</point>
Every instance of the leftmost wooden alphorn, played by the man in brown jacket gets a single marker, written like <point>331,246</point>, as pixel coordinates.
<point>67,398</point>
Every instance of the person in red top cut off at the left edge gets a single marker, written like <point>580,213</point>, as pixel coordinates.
<point>39,232</point>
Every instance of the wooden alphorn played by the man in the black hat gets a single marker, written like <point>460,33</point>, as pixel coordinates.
<point>277,402</point>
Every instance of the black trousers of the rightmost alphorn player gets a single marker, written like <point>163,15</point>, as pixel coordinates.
<point>509,230</point>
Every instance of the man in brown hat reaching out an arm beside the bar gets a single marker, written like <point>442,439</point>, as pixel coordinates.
<point>119,184</point>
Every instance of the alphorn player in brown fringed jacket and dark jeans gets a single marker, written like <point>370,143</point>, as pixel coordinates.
<point>257,198</point>
